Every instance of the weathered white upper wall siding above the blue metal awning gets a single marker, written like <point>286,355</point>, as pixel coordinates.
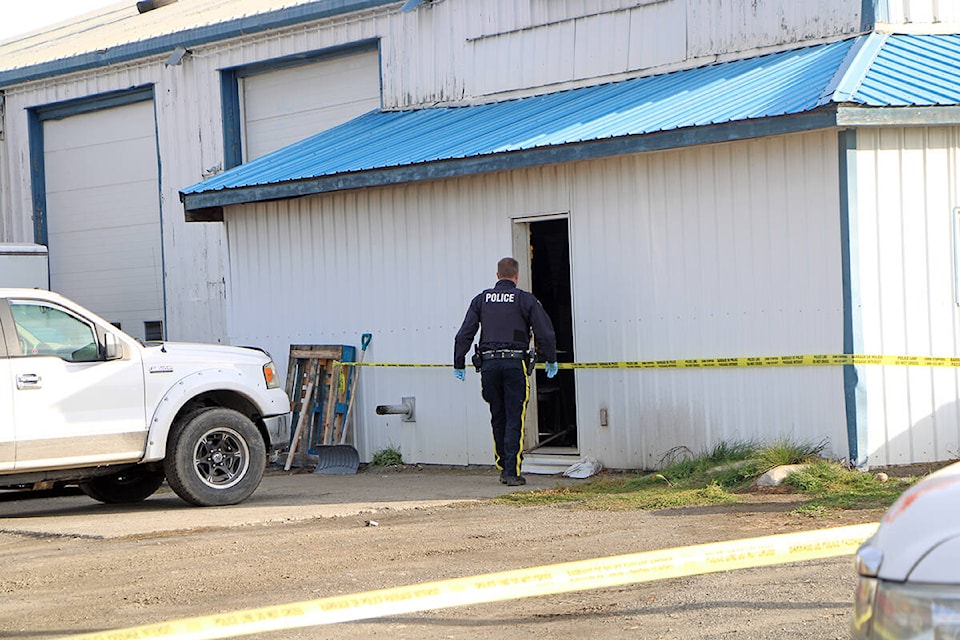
<point>525,46</point>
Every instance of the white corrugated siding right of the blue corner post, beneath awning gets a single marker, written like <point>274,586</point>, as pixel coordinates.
<point>907,185</point>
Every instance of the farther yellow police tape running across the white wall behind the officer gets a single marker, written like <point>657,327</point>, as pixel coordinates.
<point>810,360</point>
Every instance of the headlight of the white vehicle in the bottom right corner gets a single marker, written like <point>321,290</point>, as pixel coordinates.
<point>906,611</point>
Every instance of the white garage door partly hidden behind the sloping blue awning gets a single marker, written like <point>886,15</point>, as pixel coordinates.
<point>284,106</point>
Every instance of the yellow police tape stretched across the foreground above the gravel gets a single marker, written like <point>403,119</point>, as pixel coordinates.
<point>509,585</point>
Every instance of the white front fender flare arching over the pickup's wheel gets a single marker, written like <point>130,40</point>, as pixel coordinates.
<point>184,390</point>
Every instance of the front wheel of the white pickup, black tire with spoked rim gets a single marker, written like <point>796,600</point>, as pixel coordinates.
<point>215,457</point>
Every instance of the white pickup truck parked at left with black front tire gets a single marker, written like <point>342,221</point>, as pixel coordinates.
<point>83,403</point>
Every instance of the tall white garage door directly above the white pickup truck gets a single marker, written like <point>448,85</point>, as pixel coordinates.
<point>103,214</point>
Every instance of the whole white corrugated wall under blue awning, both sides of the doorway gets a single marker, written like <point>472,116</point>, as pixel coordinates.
<point>746,263</point>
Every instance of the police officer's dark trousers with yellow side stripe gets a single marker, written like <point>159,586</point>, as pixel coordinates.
<point>506,389</point>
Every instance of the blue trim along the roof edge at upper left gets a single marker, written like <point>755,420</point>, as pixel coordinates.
<point>188,38</point>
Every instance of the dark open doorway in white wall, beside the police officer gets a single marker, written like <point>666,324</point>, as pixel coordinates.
<point>546,245</point>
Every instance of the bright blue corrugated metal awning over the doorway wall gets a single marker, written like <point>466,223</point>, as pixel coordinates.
<point>802,89</point>
